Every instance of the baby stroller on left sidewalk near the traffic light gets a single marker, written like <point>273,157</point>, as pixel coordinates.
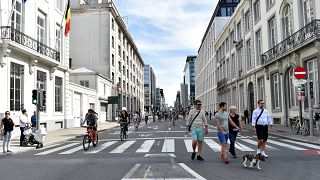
<point>33,137</point>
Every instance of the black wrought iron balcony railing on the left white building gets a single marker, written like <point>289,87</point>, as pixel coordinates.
<point>14,35</point>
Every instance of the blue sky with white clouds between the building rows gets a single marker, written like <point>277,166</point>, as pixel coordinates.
<point>166,32</point>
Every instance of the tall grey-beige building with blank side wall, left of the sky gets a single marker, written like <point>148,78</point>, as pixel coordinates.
<point>101,42</point>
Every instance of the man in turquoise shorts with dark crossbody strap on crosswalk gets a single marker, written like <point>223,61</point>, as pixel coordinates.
<point>197,123</point>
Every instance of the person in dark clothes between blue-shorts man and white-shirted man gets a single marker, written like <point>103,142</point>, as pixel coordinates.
<point>234,127</point>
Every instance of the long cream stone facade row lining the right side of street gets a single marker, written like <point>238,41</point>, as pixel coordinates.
<point>255,55</point>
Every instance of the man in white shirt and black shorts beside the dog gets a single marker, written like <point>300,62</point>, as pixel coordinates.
<point>260,122</point>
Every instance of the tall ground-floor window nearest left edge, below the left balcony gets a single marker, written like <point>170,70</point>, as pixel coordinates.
<point>16,87</point>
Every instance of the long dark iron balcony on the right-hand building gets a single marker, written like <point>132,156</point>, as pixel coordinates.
<point>299,39</point>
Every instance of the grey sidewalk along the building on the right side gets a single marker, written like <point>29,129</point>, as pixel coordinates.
<point>286,132</point>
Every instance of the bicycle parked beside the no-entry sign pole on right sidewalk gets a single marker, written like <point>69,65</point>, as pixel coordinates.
<point>300,127</point>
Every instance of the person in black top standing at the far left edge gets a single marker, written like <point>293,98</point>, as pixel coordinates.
<point>7,130</point>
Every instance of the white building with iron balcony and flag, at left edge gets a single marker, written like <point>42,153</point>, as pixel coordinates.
<point>34,54</point>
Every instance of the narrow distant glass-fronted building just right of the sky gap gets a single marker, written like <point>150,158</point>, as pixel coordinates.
<point>188,94</point>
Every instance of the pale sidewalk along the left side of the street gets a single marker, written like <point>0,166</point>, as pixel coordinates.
<point>57,136</point>
